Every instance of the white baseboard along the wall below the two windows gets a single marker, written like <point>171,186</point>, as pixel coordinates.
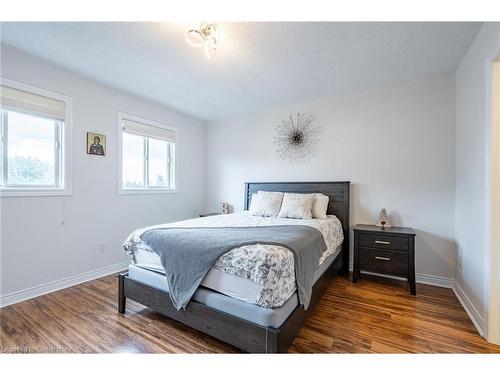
<point>22,295</point>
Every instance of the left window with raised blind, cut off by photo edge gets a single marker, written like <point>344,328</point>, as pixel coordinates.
<point>35,131</point>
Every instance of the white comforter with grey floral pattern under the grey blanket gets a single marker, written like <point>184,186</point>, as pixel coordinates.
<point>268,265</point>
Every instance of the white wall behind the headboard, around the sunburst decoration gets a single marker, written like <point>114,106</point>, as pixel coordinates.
<point>396,145</point>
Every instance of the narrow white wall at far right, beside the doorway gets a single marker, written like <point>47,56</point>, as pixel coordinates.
<point>472,153</point>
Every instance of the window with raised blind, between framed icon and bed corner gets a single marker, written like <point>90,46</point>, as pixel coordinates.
<point>148,156</point>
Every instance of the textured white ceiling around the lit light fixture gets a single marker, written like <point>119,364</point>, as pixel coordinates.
<point>259,65</point>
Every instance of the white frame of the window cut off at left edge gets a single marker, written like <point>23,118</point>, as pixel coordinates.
<point>63,172</point>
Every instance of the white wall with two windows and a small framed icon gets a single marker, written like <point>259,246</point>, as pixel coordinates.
<point>45,239</point>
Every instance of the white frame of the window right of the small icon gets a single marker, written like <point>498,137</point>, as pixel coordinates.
<point>146,190</point>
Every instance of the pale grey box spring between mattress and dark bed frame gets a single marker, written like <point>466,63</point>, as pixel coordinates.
<point>267,317</point>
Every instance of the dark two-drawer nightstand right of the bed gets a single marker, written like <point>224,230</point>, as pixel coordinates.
<point>388,251</point>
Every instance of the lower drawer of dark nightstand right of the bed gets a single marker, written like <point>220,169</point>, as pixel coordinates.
<point>383,261</point>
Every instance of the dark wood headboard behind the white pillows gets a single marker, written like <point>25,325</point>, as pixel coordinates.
<point>338,192</point>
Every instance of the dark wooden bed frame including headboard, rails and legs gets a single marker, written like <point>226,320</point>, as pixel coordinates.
<point>243,334</point>
